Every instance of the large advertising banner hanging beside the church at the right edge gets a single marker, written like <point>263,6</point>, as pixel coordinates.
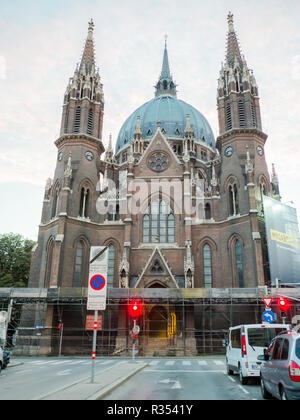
<point>283,241</point>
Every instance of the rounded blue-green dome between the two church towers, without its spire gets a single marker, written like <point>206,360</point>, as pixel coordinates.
<point>171,112</point>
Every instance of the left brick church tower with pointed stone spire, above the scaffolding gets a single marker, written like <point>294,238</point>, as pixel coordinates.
<point>69,206</point>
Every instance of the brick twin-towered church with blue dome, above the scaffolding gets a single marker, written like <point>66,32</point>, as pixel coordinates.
<point>176,206</point>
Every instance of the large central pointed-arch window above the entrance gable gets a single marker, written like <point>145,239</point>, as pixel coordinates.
<point>159,222</point>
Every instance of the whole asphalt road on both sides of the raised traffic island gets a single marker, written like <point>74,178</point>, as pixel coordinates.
<point>163,379</point>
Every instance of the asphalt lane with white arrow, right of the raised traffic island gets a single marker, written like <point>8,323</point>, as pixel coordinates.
<point>184,379</point>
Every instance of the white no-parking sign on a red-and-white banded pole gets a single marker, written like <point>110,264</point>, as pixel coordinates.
<point>97,290</point>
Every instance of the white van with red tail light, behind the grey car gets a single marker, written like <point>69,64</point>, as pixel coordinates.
<point>245,344</point>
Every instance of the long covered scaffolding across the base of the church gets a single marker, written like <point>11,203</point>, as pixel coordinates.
<point>174,322</point>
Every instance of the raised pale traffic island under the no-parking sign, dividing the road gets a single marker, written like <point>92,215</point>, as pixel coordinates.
<point>104,382</point>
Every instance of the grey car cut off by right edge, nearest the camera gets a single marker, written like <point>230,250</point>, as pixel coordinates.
<point>280,370</point>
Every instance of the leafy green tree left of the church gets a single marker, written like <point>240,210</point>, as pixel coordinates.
<point>15,257</point>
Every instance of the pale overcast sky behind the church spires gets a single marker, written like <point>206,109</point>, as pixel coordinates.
<point>41,41</point>
